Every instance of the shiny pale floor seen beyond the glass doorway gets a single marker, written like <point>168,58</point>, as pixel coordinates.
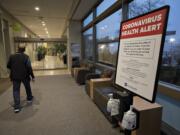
<point>49,62</point>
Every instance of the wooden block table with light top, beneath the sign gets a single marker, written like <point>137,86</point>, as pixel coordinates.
<point>149,117</point>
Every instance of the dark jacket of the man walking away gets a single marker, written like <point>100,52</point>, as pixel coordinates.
<point>20,67</point>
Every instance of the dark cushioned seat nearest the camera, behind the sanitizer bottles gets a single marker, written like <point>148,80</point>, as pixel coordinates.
<point>101,98</point>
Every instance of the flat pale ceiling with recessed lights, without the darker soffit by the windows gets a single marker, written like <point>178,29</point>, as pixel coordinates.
<point>52,12</point>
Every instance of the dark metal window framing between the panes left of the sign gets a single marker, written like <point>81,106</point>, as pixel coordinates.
<point>96,19</point>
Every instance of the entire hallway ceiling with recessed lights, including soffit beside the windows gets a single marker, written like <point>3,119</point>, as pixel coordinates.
<point>55,14</point>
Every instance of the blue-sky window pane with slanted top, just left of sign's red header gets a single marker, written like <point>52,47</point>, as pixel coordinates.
<point>106,31</point>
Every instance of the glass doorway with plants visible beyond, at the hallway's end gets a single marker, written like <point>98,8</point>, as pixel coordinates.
<point>46,55</point>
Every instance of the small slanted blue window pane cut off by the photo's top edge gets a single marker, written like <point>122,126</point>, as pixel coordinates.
<point>104,5</point>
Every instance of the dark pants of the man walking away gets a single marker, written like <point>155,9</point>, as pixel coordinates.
<point>16,91</point>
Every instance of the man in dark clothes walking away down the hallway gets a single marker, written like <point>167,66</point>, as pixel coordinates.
<point>20,71</point>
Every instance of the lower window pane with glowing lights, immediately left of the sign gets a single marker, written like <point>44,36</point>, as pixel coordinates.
<point>107,53</point>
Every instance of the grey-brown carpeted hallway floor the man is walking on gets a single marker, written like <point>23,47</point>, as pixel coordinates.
<point>60,107</point>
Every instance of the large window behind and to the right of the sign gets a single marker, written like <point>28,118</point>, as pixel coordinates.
<point>170,68</point>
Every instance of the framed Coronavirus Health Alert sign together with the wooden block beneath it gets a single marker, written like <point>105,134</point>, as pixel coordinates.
<point>138,63</point>
